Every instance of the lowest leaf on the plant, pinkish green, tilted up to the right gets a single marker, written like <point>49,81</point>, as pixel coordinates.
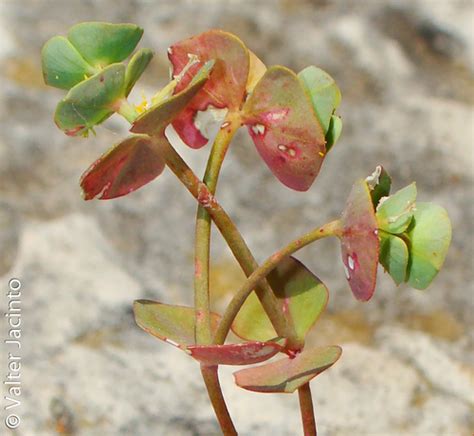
<point>287,375</point>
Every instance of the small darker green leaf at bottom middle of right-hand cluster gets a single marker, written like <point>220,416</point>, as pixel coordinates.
<point>394,256</point>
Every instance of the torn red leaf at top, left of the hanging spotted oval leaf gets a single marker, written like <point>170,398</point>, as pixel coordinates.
<point>226,86</point>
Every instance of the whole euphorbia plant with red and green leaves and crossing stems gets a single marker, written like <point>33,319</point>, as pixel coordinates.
<point>292,122</point>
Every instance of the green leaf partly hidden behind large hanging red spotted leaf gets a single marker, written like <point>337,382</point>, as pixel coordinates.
<point>325,94</point>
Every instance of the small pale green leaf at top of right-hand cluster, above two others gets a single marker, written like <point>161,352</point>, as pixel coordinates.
<point>395,213</point>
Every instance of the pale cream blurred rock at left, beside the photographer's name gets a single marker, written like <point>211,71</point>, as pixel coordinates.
<point>70,284</point>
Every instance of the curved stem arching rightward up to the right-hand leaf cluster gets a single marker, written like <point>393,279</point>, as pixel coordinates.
<point>332,228</point>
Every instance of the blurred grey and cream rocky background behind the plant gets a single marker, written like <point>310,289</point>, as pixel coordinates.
<point>405,69</point>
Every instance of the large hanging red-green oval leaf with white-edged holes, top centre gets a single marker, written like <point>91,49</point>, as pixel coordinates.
<point>285,129</point>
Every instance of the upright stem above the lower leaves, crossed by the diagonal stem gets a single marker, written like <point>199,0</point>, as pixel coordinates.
<point>203,334</point>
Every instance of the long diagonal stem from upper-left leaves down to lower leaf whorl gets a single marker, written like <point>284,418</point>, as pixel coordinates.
<point>230,233</point>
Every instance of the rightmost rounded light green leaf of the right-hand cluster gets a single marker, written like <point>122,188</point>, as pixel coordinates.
<point>430,236</point>
